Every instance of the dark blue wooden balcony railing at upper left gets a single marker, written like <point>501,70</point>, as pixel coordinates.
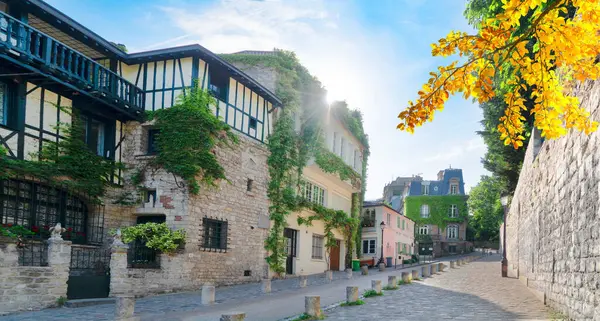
<point>50,55</point>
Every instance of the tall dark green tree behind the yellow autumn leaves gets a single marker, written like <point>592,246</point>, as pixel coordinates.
<point>504,162</point>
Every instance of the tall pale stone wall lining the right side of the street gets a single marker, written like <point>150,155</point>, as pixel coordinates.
<point>553,225</point>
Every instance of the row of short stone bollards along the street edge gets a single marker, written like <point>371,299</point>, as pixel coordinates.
<point>312,303</point>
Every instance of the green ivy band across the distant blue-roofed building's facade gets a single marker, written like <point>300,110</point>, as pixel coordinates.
<point>439,209</point>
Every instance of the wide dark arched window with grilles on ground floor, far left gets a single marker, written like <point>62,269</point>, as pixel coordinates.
<point>39,207</point>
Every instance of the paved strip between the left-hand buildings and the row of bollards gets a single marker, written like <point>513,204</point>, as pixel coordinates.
<point>149,307</point>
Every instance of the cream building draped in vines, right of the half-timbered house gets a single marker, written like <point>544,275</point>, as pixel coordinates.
<point>306,245</point>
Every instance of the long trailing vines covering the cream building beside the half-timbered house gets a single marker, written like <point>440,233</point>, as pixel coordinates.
<point>304,102</point>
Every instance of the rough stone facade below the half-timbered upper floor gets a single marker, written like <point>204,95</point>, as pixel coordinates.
<point>244,209</point>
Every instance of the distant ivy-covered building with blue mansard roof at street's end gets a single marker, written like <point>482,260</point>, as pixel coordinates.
<point>439,210</point>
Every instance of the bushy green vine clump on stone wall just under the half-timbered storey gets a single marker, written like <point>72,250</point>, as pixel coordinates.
<point>187,137</point>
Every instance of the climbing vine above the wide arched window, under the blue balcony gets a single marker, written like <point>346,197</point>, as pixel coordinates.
<point>68,163</point>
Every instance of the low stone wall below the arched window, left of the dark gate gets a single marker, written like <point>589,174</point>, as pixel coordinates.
<point>33,287</point>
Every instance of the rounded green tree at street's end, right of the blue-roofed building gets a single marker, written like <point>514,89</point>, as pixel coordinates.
<point>484,204</point>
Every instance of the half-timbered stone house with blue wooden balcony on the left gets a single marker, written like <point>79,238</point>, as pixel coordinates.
<point>54,62</point>
